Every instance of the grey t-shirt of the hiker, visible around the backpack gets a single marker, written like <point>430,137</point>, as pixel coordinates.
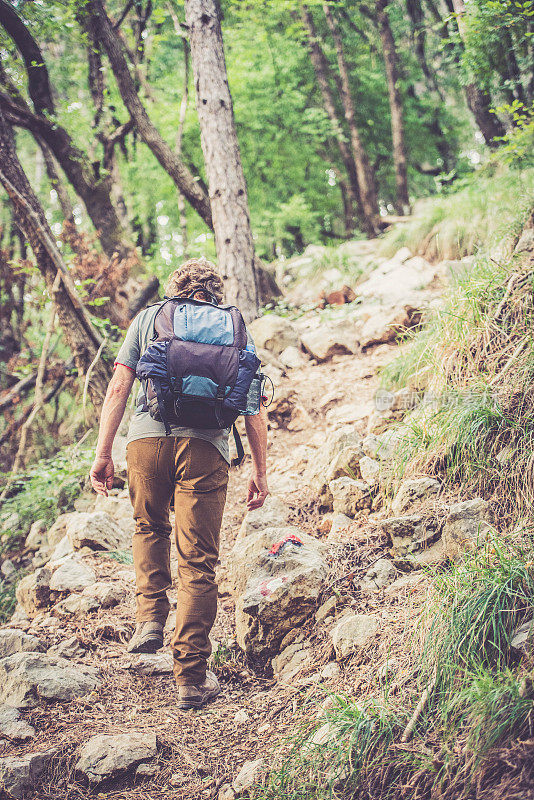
<point>142,425</point>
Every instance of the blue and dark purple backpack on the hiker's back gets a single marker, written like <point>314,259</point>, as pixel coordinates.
<point>198,369</point>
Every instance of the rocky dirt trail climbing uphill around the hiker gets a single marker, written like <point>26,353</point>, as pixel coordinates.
<point>330,608</point>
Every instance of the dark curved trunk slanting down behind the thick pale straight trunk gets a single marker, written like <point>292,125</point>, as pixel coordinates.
<point>173,166</point>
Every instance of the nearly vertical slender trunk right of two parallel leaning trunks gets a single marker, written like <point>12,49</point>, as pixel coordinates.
<point>402,206</point>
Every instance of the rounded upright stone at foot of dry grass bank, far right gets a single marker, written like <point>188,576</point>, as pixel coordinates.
<point>466,527</point>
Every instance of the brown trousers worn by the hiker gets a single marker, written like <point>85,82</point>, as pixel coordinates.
<point>197,475</point>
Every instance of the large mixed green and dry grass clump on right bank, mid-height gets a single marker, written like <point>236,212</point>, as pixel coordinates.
<point>473,365</point>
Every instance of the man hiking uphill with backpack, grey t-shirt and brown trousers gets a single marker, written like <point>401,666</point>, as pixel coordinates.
<point>198,370</point>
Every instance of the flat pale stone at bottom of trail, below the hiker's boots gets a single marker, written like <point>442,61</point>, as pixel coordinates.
<point>105,756</point>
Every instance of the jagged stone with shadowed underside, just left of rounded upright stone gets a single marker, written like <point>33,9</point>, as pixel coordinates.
<point>411,535</point>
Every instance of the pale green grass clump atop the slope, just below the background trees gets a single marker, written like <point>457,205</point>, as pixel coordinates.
<point>458,225</point>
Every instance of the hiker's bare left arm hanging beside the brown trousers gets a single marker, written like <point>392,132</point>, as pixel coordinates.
<point>113,408</point>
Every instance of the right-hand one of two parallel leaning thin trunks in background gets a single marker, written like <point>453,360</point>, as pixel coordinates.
<point>365,172</point>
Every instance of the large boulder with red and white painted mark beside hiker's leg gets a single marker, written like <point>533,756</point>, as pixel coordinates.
<point>281,590</point>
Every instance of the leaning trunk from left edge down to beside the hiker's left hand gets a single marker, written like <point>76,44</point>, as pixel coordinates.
<point>80,335</point>
